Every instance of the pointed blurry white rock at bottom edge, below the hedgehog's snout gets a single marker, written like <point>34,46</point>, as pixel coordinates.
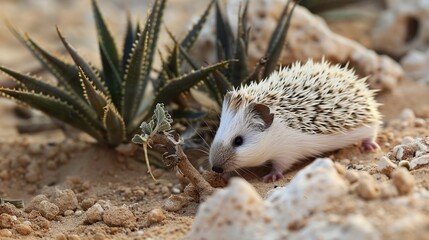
<point>236,212</point>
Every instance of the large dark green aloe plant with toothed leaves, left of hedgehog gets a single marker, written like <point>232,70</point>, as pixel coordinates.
<point>107,103</point>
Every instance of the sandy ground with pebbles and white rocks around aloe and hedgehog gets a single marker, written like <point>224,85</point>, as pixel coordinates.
<point>74,189</point>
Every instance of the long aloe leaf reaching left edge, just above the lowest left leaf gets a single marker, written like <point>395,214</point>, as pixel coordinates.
<point>33,84</point>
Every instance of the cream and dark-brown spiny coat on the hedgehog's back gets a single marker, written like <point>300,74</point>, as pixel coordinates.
<point>317,98</point>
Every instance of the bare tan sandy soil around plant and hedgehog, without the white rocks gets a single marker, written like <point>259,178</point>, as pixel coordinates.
<point>31,164</point>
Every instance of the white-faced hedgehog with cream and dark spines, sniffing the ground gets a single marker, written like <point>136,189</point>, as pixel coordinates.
<point>298,112</point>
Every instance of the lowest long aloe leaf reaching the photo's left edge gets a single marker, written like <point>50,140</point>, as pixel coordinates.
<point>55,108</point>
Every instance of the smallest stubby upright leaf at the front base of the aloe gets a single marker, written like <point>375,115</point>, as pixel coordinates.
<point>114,125</point>
